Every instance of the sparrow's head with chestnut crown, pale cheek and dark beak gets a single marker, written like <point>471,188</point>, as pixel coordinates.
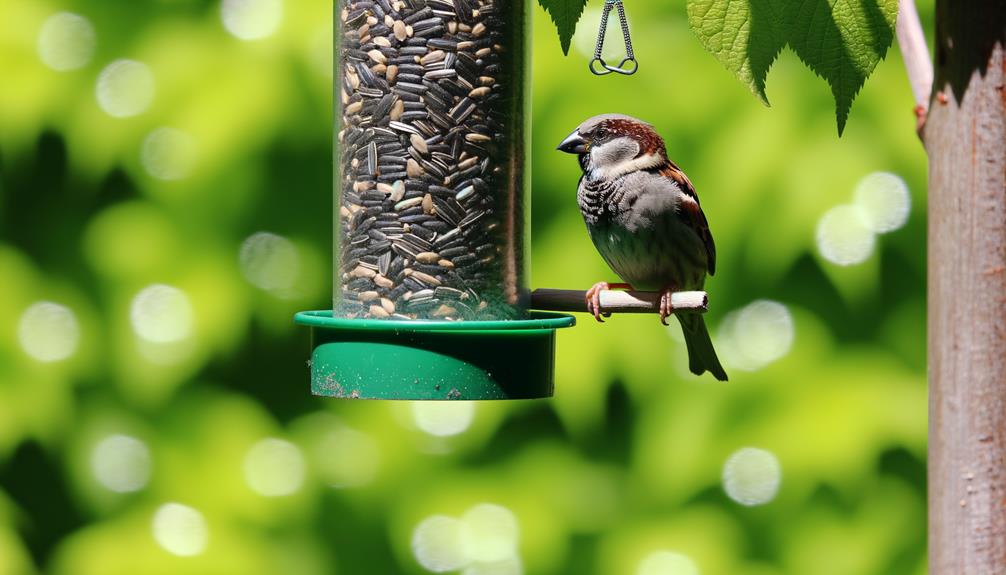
<point>612,145</point>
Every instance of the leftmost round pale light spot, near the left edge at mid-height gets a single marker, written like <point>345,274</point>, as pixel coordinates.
<point>49,332</point>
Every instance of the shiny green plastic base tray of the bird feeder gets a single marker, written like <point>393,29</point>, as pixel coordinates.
<point>386,359</point>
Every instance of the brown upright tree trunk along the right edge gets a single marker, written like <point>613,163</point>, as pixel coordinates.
<point>965,136</point>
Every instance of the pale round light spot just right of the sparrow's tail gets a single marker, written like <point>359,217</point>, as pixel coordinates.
<point>757,335</point>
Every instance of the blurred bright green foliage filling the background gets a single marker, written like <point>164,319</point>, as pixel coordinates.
<point>625,462</point>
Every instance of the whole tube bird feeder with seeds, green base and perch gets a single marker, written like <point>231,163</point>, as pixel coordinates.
<point>431,274</point>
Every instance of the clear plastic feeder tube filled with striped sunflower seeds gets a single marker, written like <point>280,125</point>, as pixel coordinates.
<point>433,125</point>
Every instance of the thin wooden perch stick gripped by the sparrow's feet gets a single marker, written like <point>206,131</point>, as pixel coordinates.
<point>618,302</point>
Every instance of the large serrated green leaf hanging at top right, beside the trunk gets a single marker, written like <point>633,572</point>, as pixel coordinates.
<point>842,41</point>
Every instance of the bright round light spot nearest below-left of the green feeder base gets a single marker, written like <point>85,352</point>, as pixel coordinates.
<point>274,468</point>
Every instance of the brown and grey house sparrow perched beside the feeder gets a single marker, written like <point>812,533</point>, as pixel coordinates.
<point>644,219</point>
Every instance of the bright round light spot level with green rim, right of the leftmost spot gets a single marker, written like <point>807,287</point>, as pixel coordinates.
<point>162,315</point>
